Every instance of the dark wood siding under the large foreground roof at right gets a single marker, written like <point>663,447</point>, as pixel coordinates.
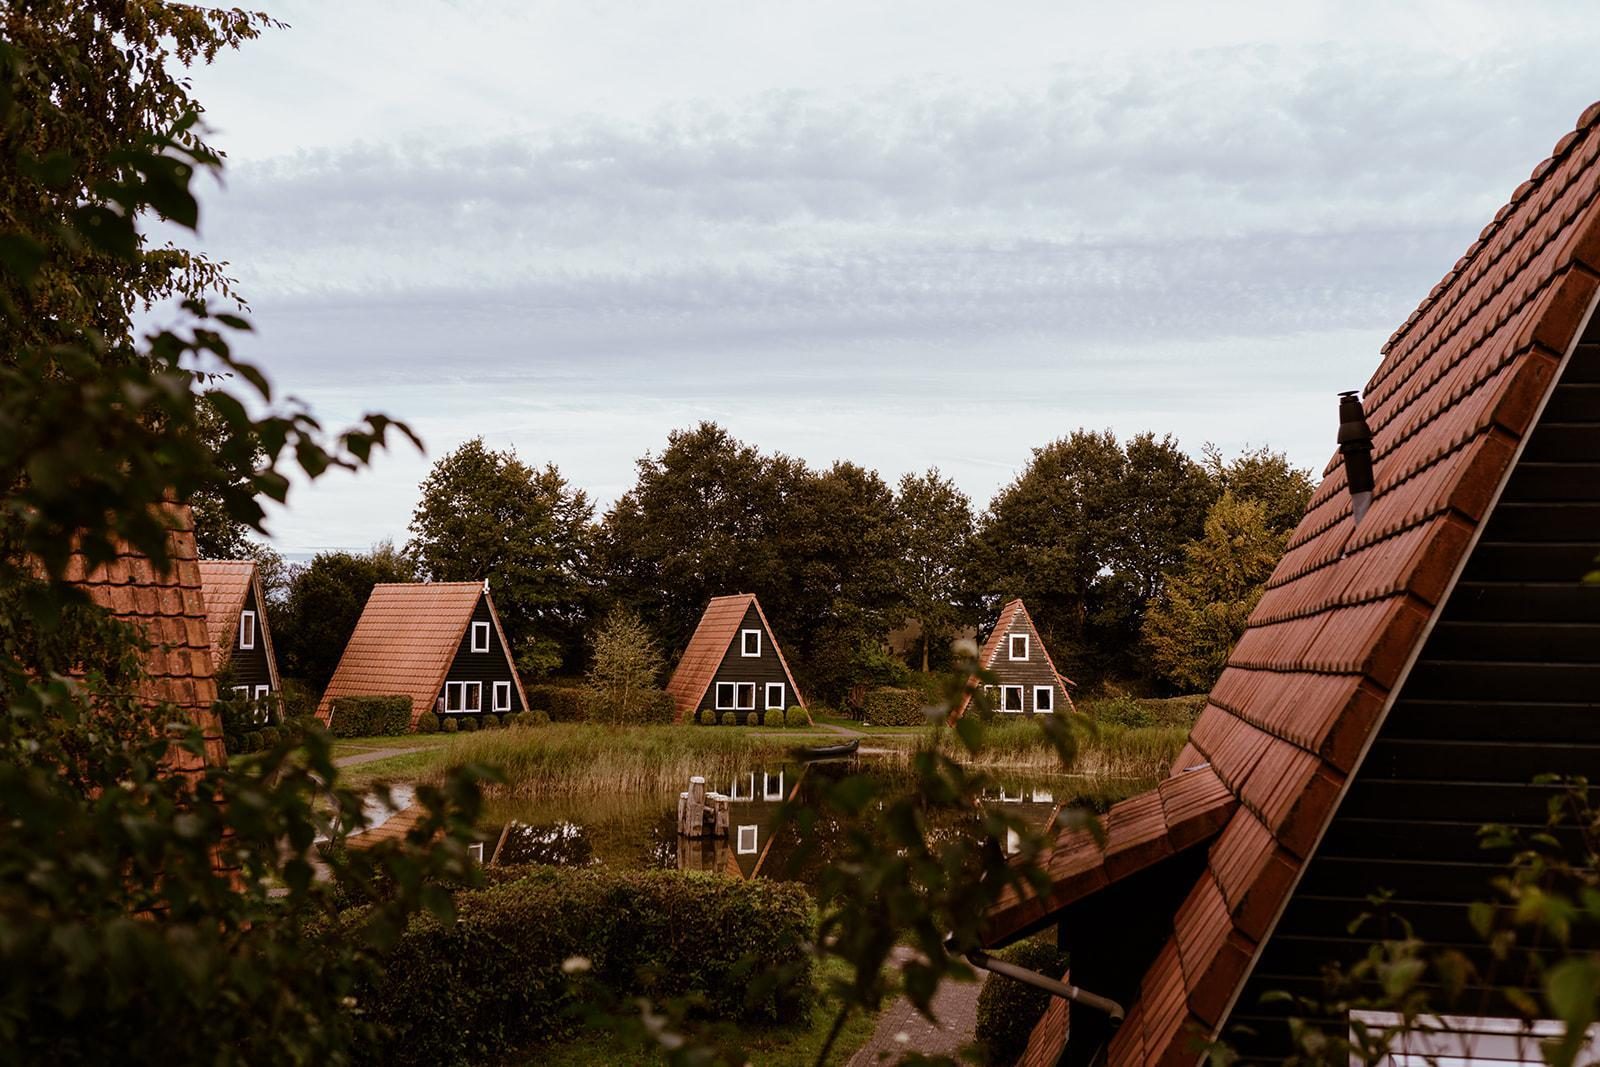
<point>1506,689</point>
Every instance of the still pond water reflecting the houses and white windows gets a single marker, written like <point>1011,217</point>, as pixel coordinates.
<point>639,831</point>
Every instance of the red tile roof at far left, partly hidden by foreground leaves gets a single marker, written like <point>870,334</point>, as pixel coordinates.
<point>169,610</point>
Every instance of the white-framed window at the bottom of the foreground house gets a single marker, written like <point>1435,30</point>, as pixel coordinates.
<point>1466,1041</point>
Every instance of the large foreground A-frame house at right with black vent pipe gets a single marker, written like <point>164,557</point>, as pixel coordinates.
<point>1425,650</point>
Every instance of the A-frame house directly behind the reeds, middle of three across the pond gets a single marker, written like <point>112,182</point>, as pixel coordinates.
<point>734,665</point>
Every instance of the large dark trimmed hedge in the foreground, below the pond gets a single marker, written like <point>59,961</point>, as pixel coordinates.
<point>494,983</point>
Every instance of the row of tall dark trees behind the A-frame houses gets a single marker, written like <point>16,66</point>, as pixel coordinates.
<point>1140,564</point>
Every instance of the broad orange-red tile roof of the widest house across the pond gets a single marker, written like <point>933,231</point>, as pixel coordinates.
<point>406,642</point>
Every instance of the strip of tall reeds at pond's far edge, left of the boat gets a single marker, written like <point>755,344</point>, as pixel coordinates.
<point>564,759</point>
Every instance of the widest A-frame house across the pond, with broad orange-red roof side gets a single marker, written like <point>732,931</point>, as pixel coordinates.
<point>439,644</point>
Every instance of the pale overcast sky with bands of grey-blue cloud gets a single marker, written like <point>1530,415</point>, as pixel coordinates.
<point>905,234</point>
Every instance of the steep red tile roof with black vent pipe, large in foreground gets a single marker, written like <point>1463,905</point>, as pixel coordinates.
<point>1460,386</point>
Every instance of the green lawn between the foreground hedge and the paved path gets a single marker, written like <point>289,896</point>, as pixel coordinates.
<point>778,1047</point>
